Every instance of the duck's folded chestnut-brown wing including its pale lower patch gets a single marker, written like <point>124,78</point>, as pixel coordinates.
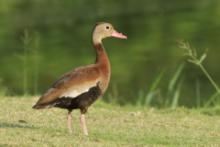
<point>71,85</point>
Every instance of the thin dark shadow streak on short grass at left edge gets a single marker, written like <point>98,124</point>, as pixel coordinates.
<point>16,125</point>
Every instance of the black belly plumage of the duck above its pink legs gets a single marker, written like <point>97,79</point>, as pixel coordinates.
<point>82,102</point>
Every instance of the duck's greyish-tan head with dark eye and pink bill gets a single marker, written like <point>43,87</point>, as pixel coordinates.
<point>103,30</point>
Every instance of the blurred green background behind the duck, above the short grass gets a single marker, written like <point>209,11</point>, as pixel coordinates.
<point>40,40</point>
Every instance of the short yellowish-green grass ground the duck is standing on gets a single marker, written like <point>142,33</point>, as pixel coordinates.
<point>109,125</point>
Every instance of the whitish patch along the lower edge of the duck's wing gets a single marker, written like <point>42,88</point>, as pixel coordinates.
<point>75,91</point>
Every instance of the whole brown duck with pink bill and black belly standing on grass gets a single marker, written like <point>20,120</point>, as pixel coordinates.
<point>79,88</point>
